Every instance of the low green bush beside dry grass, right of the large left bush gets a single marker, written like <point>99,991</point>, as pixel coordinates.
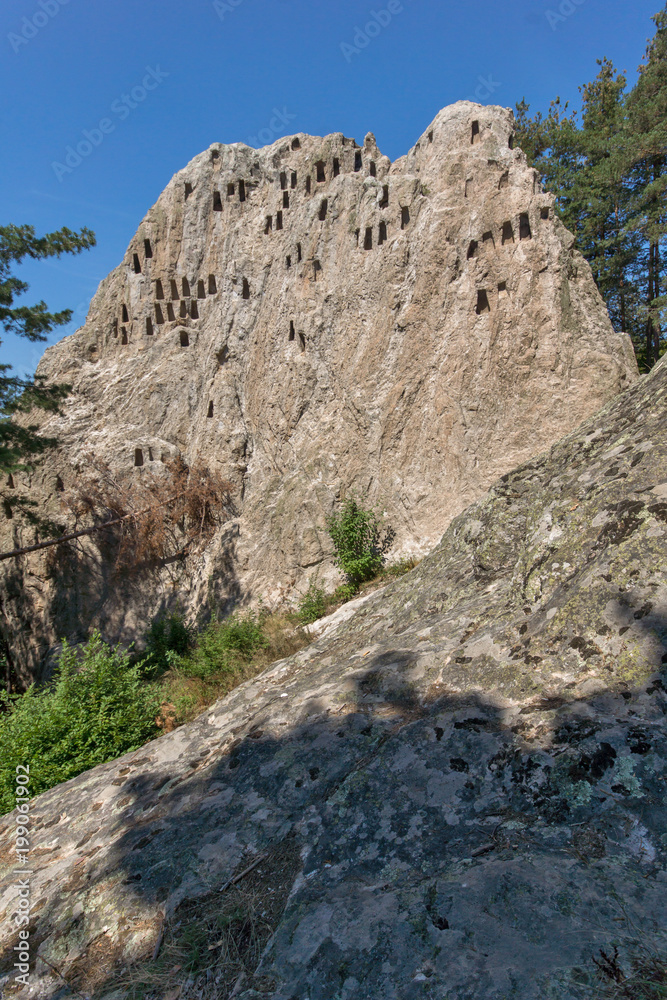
<point>222,645</point>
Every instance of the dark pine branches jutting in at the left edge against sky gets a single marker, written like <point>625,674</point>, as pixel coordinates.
<point>34,323</point>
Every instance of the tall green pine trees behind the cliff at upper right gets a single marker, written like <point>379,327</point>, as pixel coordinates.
<point>607,166</point>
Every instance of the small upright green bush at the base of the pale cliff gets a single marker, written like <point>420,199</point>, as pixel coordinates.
<point>360,541</point>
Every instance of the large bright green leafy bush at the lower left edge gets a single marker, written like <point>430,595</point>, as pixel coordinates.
<point>98,707</point>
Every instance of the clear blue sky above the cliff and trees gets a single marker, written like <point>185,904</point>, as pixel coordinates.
<point>169,77</point>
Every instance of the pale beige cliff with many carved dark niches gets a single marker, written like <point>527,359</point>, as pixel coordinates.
<point>309,319</point>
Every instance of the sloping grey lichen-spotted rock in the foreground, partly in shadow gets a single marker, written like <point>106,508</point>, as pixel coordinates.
<point>458,790</point>
